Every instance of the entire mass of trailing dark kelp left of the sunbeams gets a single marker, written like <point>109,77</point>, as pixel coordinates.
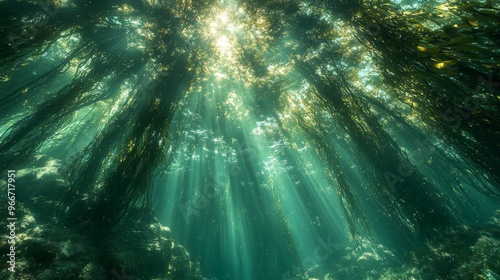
<point>102,63</point>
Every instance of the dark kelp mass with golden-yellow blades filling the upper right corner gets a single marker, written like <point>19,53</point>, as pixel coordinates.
<point>437,62</point>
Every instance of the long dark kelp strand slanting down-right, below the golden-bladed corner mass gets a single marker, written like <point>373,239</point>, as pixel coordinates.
<point>374,143</point>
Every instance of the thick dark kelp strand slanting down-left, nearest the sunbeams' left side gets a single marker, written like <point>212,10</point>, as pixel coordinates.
<point>127,177</point>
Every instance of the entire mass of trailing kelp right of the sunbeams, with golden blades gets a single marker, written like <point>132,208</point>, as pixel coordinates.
<point>416,63</point>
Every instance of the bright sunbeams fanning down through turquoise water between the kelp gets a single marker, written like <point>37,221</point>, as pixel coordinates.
<point>235,192</point>
